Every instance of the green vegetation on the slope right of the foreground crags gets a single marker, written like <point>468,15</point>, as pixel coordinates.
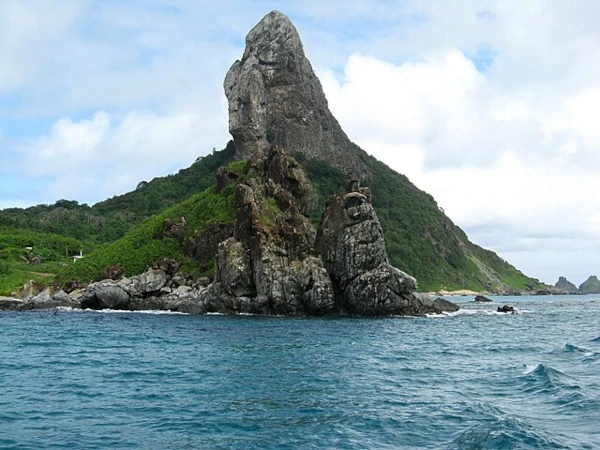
<point>420,239</point>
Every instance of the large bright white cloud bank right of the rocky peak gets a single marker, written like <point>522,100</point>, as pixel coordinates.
<point>518,169</point>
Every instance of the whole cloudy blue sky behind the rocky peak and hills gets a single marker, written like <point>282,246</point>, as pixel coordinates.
<point>491,107</point>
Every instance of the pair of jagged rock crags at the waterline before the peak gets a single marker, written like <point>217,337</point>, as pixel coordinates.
<point>276,263</point>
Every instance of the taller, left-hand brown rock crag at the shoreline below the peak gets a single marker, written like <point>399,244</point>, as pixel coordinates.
<point>269,265</point>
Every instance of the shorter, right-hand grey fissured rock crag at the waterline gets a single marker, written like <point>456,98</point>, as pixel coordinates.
<point>351,243</point>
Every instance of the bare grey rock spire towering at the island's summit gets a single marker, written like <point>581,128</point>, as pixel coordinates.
<point>275,98</point>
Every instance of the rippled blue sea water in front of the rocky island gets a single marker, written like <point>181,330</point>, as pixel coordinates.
<point>471,380</point>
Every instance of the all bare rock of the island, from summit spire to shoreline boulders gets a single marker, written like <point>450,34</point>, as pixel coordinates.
<point>272,260</point>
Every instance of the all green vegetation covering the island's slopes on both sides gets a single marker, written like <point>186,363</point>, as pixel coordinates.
<point>124,230</point>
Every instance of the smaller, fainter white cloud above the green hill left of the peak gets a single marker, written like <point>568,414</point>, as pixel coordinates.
<point>94,158</point>
